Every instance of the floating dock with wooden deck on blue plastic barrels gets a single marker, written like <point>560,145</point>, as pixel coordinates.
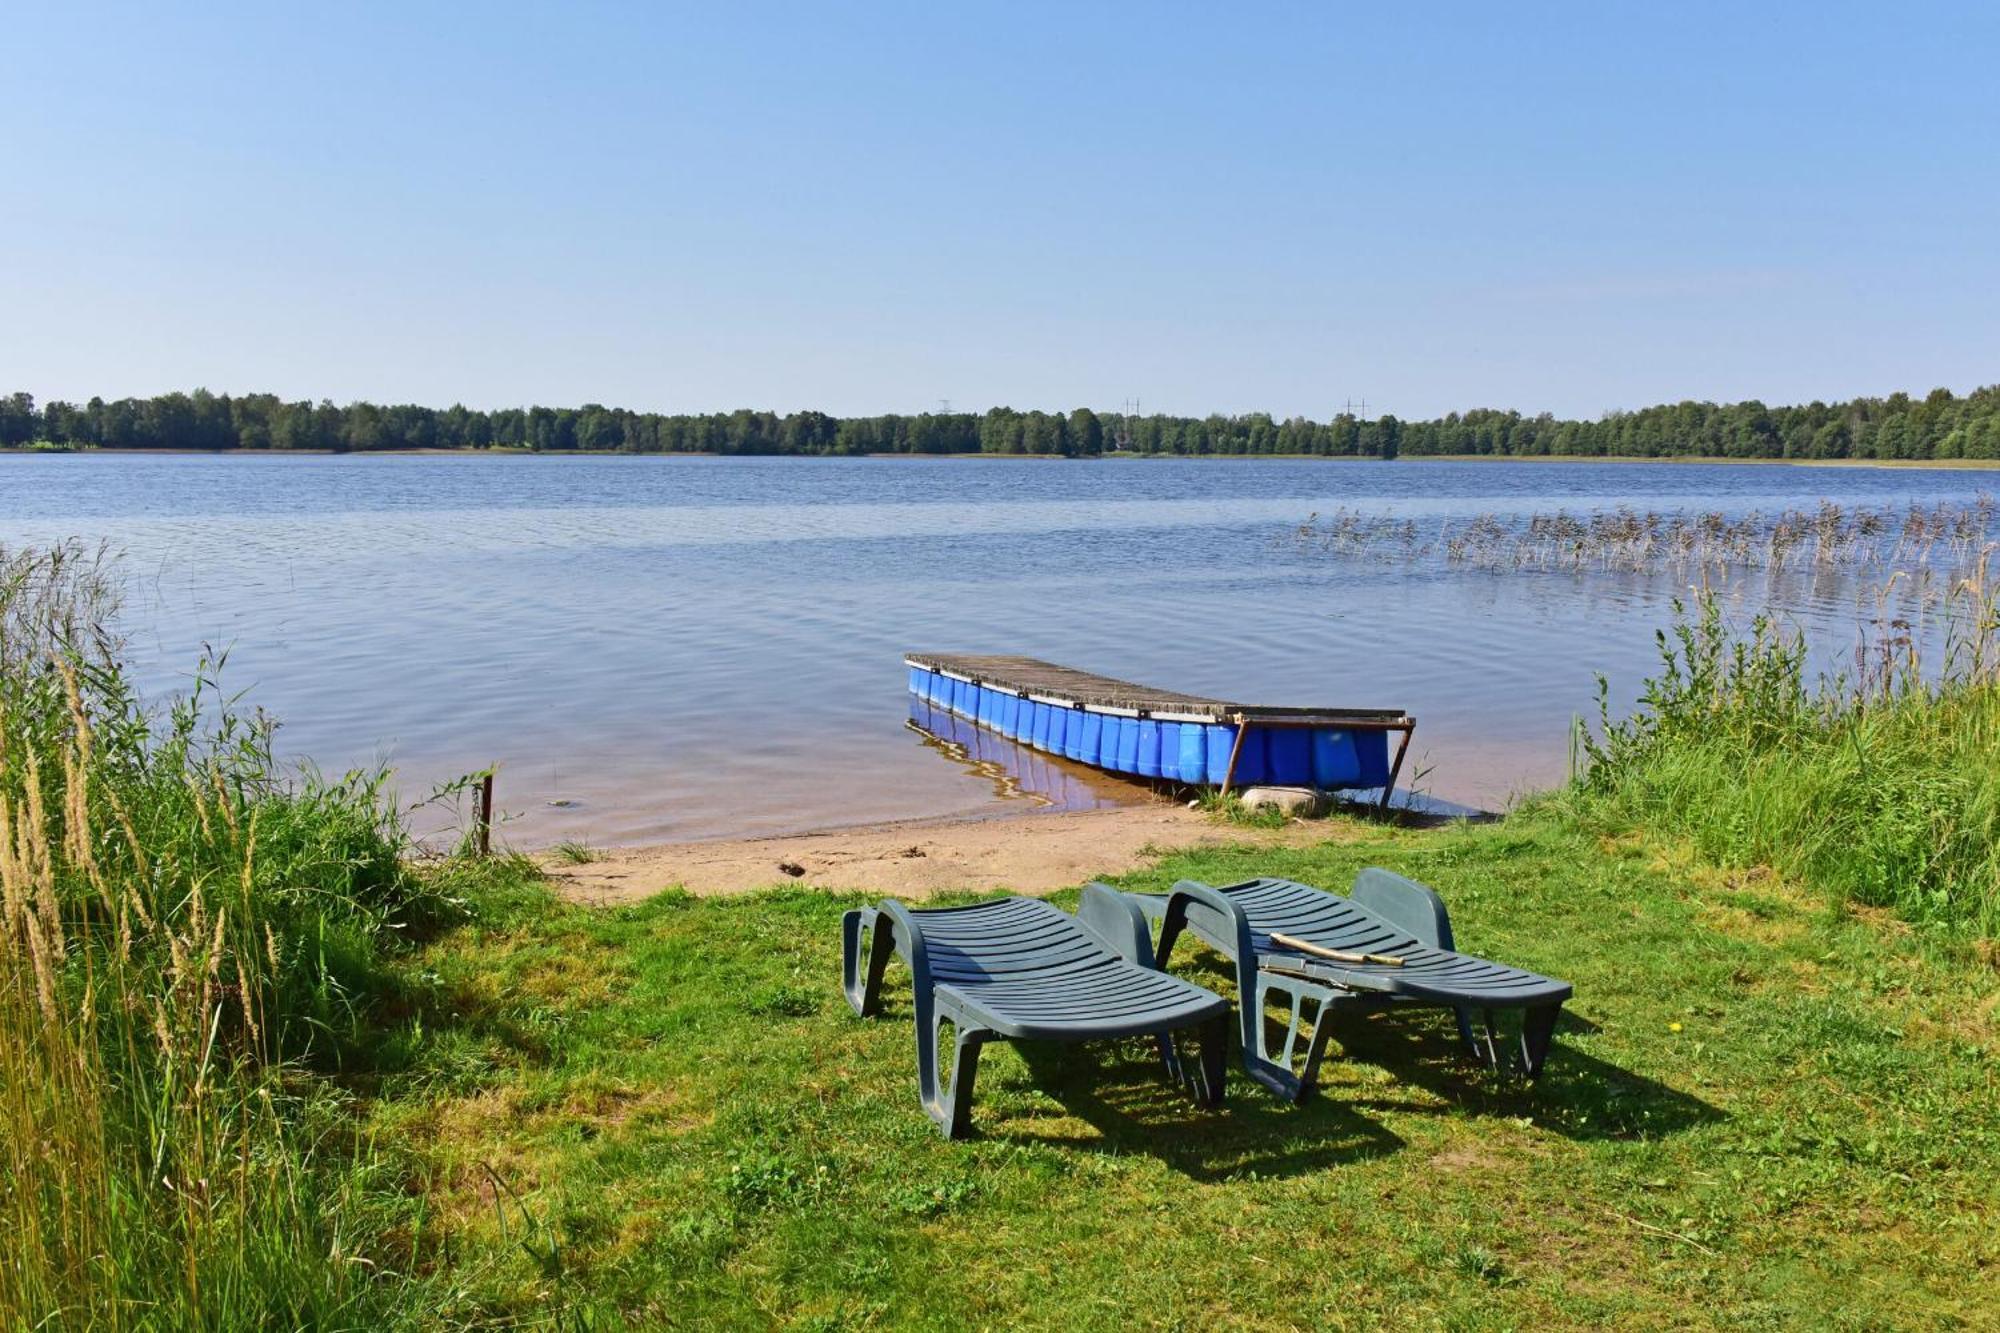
<point>1149,734</point>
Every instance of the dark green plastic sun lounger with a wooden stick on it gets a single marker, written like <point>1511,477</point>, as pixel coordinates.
<point>1385,918</point>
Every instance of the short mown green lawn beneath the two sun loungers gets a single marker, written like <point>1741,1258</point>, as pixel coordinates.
<point>1765,1112</point>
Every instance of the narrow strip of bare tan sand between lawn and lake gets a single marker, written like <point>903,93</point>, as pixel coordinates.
<point>915,860</point>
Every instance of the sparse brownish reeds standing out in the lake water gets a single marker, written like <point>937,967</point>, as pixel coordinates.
<point>1631,541</point>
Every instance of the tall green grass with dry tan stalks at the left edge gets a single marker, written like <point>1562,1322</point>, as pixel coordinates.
<point>187,938</point>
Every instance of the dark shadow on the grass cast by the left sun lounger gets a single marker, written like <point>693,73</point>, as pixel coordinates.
<point>1123,1092</point>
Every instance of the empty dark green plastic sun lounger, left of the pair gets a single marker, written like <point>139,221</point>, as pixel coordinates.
<point>1021,970</point>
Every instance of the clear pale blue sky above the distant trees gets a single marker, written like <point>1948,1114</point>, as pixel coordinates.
<point>875,207</point>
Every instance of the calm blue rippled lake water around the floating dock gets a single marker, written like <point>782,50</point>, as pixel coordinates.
<point>711,647</point>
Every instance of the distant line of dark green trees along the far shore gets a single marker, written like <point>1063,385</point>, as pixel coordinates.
<point>1941,425</point>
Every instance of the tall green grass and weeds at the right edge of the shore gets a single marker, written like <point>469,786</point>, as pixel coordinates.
<point>1879,786</point>
